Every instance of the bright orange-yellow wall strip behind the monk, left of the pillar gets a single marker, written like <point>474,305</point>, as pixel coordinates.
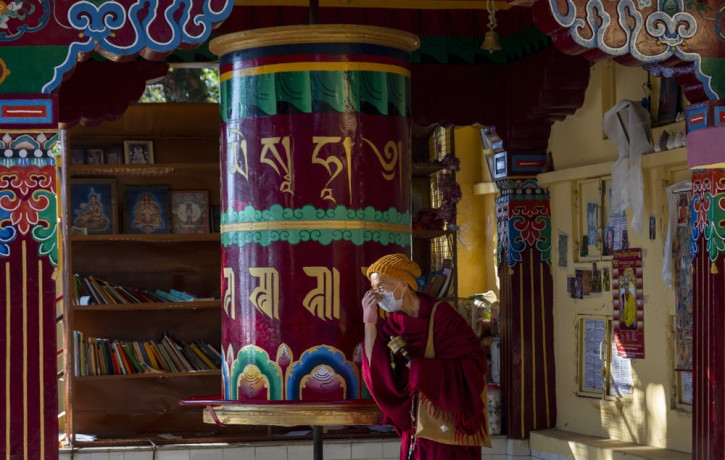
<point>476,219</point>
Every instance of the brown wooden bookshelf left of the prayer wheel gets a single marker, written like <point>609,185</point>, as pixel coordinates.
<point>143,405</point>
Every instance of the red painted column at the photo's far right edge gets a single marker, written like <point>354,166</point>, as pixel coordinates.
<point>708,288</point>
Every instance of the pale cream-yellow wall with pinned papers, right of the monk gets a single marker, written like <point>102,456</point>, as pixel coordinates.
<point>650,416</point>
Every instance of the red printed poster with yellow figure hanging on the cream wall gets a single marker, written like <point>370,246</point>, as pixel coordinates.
<point>628,302</point>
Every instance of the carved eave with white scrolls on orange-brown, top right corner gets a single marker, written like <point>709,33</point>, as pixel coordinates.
<point>670,37</point>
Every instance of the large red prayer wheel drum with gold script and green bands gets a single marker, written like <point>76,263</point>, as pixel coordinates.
<point>315,154</point>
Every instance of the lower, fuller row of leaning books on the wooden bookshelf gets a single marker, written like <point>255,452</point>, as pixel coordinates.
<point>96,356</point>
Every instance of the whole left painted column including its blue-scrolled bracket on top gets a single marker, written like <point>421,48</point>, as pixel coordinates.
<point>42,43</point>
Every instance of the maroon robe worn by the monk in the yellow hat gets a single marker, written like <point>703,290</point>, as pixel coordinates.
<point>453,381</point>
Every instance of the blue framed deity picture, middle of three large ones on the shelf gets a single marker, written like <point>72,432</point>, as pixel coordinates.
<point>146,209</point>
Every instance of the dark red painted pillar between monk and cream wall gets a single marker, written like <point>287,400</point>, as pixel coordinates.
<point>527,323</point>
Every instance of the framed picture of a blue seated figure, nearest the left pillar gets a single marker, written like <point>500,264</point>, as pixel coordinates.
<point>93,206</point>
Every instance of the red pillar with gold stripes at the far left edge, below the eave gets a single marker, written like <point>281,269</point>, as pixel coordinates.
<point>28,257</point>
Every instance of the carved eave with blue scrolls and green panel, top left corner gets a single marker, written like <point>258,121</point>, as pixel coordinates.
<point>55,36</point>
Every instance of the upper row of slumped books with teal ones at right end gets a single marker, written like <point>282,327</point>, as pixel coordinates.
<point>88,290</point>
